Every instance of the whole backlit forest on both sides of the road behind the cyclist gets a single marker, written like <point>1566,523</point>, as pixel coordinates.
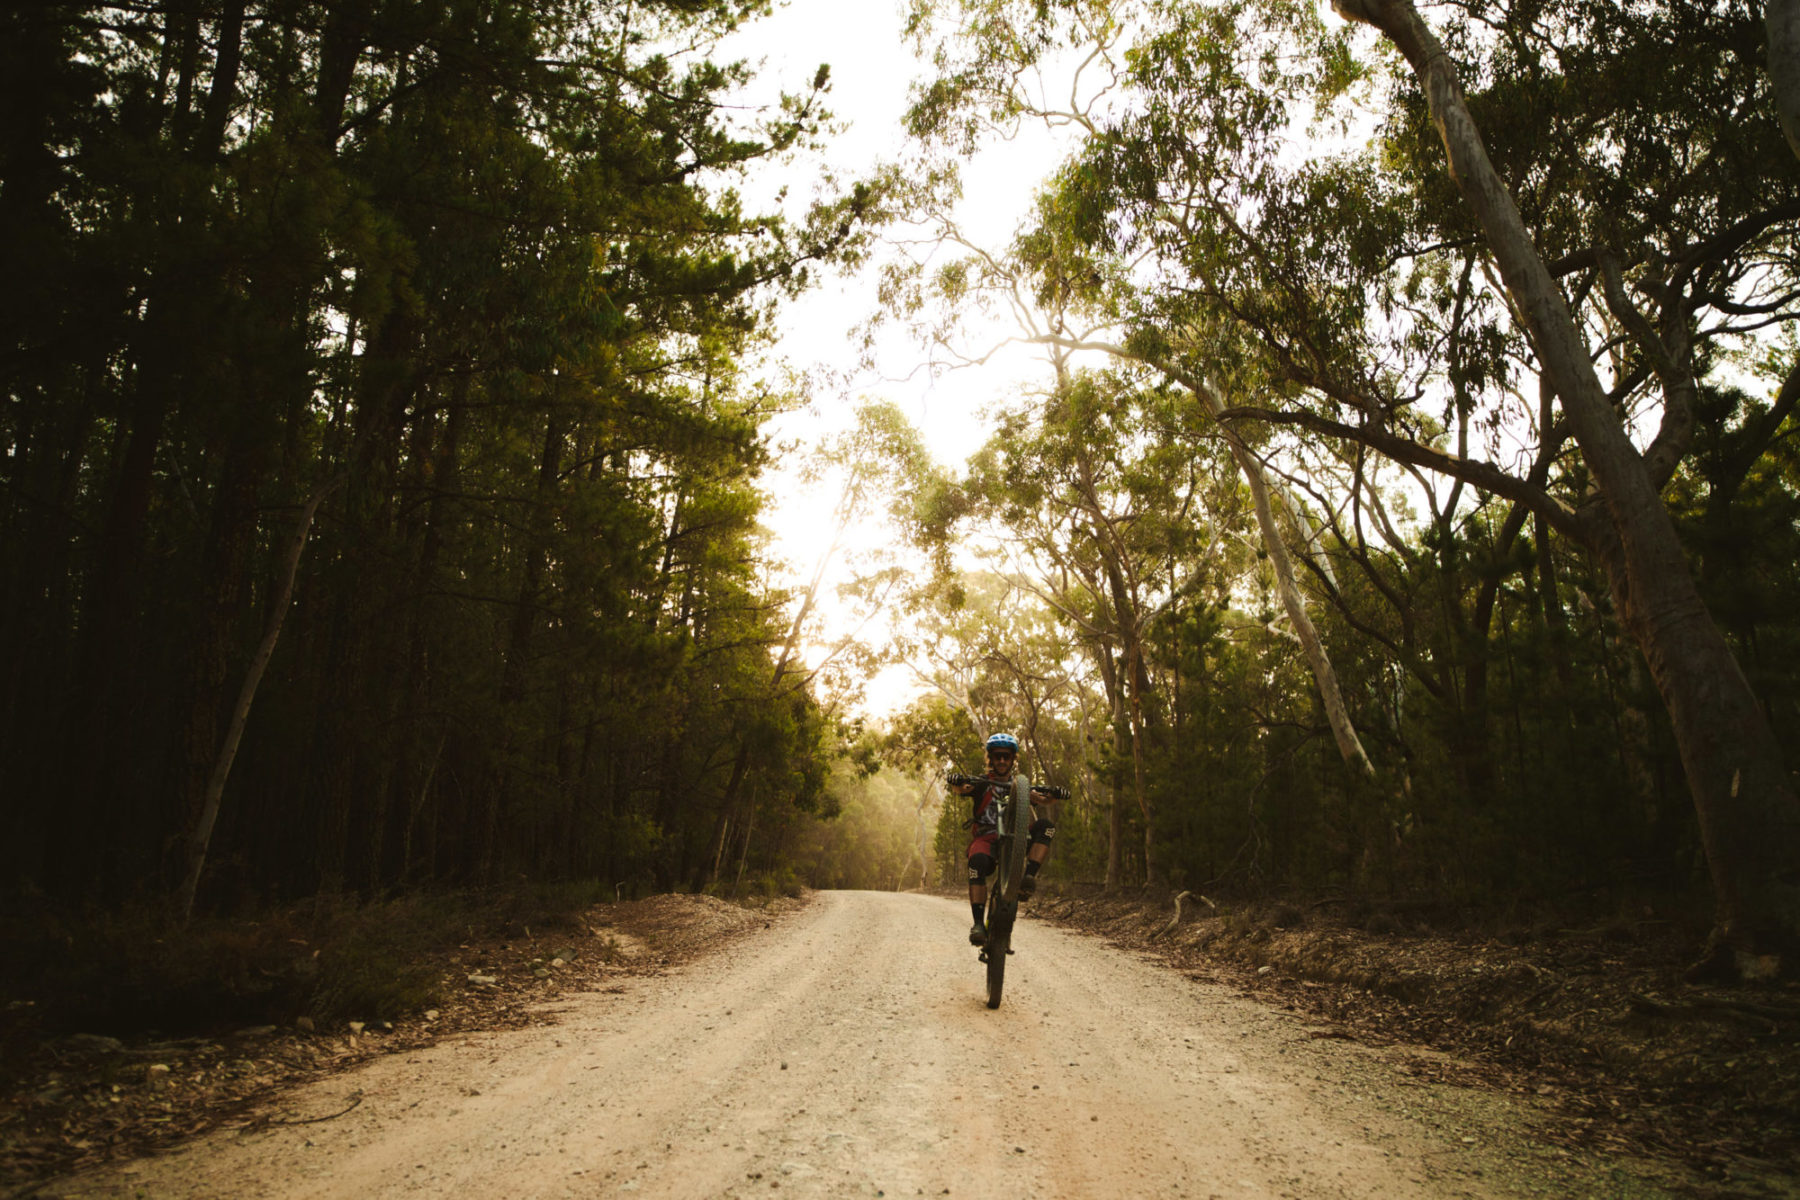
<point>386,474</point>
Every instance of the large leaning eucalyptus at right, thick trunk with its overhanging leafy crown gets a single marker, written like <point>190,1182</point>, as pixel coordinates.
<point>1621,235</point>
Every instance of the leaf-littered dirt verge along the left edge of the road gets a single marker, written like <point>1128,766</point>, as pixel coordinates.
<point>71,1100</point>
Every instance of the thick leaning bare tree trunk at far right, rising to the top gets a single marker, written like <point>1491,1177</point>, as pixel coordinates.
<point>1749,812</point>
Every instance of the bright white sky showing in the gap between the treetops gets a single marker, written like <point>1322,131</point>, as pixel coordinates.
<point>872,69</point>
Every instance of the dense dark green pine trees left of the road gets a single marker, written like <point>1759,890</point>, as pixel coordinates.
<point>481,269</point>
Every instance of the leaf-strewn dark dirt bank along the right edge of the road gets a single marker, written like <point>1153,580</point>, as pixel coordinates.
<point>1590,1017</point>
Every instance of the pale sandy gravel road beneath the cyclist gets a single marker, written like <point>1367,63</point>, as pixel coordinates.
<point>849,1053</point>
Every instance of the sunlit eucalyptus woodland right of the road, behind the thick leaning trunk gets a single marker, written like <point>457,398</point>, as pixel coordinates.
<point>1266,265</point>
